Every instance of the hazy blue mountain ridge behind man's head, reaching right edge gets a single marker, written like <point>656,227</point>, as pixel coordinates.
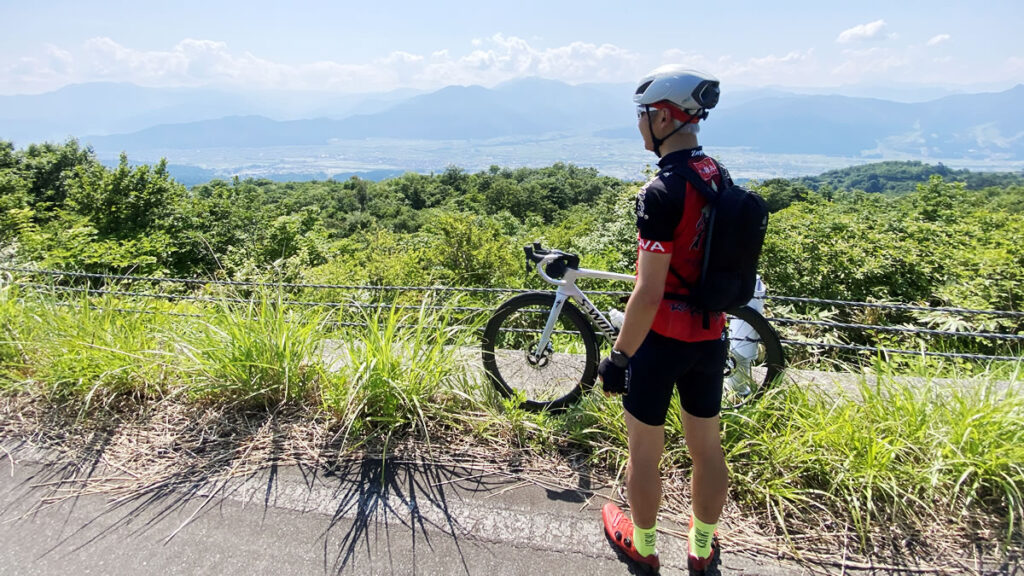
<point>988,125</point>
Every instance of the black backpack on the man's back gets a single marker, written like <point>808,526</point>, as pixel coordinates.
<point>736,233</point>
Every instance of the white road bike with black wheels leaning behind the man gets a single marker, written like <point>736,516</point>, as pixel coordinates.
<point>544,350</point>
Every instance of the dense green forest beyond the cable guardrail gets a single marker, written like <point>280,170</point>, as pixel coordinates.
<point>938,237</point>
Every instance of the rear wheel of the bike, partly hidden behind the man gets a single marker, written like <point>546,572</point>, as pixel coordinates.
<point>756,359</point>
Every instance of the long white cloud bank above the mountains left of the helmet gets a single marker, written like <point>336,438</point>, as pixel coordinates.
<point>194,62</point>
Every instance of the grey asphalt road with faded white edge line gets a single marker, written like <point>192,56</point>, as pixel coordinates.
<point>364,519</point>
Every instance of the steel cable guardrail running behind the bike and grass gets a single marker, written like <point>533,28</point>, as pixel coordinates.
<point>471,311</point>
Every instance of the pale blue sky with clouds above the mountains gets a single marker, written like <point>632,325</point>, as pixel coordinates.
<point>373,47</point>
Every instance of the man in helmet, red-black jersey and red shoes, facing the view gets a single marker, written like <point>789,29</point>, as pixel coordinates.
<point>664,344</point>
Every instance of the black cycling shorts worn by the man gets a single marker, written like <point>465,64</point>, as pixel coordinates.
<point>662,363</point>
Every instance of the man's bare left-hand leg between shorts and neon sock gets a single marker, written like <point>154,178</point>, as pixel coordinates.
<point>644,476</point>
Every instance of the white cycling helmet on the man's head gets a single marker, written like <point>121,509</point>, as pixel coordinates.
<point>693,92</point>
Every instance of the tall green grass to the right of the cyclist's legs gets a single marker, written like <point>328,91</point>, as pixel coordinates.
<point>891,451</point>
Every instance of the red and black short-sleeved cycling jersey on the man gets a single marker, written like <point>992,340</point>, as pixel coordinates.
<point>671,220</point>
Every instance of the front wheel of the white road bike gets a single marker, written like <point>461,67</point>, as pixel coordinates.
<point>551,379</point>
